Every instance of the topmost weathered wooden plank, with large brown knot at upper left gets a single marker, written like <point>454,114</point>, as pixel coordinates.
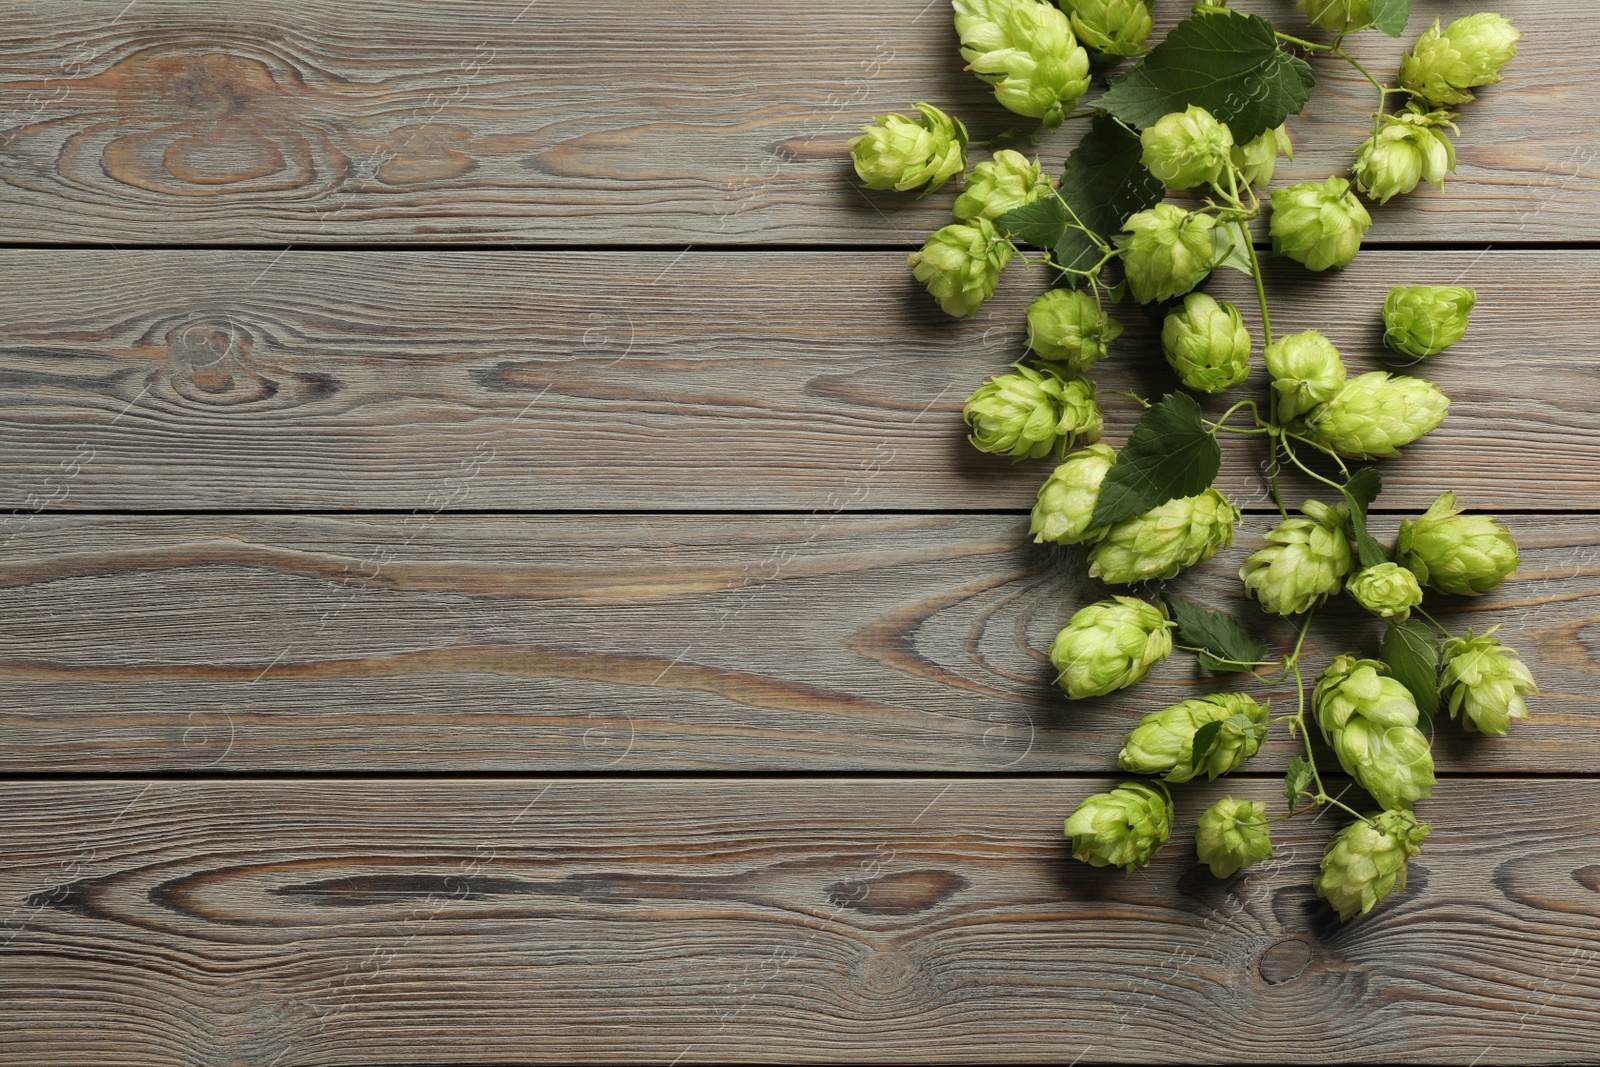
<point>623,122</point>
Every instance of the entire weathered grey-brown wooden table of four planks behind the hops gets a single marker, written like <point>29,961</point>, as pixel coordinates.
<point>492,573</point>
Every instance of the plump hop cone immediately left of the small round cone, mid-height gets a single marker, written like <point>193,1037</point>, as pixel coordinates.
<point>1305,562</point>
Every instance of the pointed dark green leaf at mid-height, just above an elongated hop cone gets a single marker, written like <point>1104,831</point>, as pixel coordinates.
<point>1169,455</point>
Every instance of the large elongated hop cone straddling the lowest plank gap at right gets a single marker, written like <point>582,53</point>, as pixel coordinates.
<point>1370,722</point>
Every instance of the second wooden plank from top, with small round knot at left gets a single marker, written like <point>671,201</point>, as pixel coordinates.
<point>743,382</point>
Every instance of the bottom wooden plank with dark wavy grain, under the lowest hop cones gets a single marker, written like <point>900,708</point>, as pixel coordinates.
<point>489,922</point>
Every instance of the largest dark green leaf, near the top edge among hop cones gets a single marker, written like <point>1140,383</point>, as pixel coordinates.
<point>1220,60</point>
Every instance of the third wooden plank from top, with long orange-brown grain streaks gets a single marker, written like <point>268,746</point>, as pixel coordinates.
<point>777,644</point>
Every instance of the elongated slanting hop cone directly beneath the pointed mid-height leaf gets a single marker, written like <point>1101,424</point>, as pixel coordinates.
<point>1164,541</point>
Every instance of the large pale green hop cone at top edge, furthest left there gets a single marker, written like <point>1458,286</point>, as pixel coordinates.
<point>1028,54</point>
